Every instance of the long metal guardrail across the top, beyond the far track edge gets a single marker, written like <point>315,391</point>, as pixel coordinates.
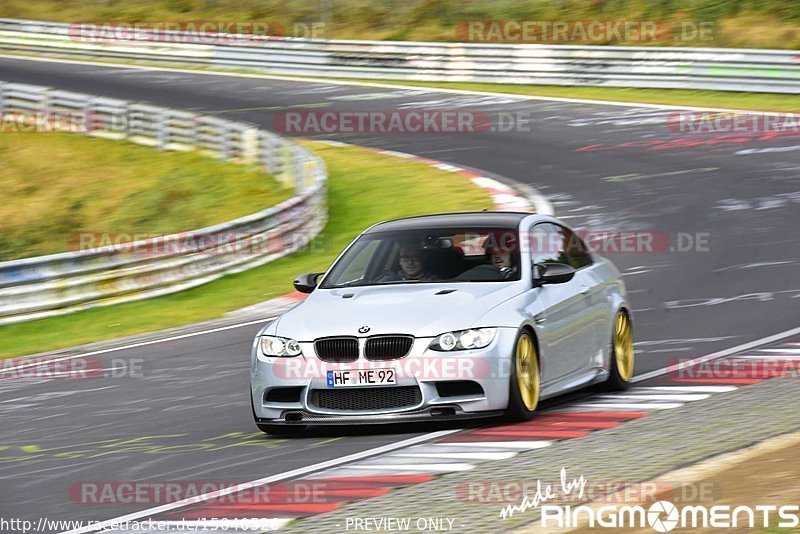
<point>774,71</point>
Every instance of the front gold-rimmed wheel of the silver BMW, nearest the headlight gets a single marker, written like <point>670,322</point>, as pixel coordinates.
<point>525,385</point>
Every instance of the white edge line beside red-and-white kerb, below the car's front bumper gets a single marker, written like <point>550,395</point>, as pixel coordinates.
<point>336,462</point>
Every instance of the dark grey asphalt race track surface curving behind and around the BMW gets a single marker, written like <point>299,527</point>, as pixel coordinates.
<point>603,167</point>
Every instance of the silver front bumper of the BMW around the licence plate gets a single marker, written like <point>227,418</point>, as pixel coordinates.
<point>429,371</point>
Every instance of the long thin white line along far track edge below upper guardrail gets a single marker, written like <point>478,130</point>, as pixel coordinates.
<point>398,87</point>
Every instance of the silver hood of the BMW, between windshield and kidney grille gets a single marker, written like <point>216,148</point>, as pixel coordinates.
<point>423,310</point>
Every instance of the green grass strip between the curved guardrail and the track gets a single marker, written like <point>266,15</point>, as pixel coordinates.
<point>364,188</point>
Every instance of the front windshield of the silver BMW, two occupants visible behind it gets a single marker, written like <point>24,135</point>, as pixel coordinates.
<point>428,256</point>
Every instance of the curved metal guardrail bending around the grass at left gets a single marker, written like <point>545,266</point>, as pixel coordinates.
<point>33,288</point>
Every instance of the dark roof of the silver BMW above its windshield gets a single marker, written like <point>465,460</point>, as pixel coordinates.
<point>484,219</point>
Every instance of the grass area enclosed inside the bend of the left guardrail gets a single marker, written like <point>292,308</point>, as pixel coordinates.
<point>56,186</point>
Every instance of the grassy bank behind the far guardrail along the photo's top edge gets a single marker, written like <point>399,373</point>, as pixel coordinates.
<point>734,23</point>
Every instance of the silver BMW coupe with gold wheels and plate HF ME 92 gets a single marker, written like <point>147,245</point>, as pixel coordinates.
<point>444,316</point>
